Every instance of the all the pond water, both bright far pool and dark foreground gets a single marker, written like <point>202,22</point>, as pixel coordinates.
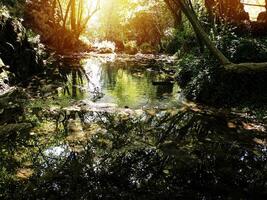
<point>182,152</point>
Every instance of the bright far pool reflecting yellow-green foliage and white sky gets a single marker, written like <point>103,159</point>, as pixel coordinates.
<point>124,83</point>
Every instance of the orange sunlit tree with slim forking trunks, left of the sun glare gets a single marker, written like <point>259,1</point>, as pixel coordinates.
<point>61,22</point>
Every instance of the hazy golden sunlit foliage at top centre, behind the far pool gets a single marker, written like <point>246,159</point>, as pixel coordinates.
<point>123,21</point>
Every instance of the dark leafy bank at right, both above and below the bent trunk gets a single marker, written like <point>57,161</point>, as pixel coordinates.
<point>204,80</point>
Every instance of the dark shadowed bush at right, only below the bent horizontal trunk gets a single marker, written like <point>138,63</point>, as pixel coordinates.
<point>203,80</point>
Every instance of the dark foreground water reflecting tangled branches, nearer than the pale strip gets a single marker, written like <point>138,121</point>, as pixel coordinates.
<point>192,153</point>
